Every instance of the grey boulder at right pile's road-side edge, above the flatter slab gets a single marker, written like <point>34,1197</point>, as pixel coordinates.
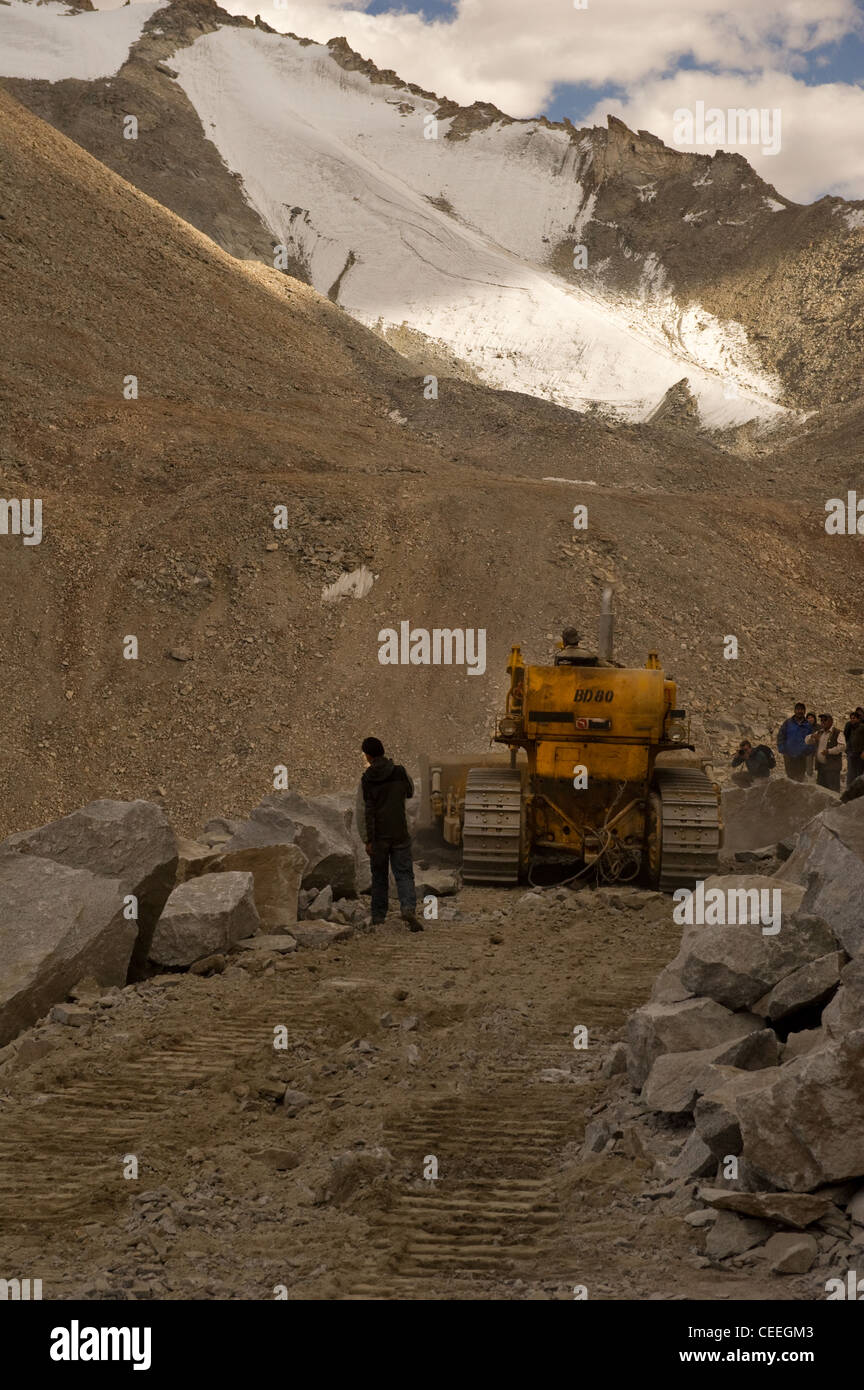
<point>687,1027</point>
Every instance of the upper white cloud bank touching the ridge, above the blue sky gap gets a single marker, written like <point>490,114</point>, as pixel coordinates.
<point>515,55</point>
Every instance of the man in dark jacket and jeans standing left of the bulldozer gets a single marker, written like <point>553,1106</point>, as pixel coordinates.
<point>384,828</point>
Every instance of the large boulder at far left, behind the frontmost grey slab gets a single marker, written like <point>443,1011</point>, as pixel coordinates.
<point>130,842</point>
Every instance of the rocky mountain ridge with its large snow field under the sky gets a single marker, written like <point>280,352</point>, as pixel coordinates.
<point>460,250</point>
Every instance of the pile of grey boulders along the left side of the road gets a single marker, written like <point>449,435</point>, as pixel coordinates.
<point>112,896</point>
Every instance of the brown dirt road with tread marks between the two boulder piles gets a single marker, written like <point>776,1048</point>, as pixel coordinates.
<point>455,1046</point>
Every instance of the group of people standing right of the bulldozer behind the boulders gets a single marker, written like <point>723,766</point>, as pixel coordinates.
<point>811,746</point>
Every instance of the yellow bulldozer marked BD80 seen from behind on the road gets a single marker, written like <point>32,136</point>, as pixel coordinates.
<point>601,776</point>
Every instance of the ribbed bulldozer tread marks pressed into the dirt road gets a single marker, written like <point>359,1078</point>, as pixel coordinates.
<point>491,1218</point>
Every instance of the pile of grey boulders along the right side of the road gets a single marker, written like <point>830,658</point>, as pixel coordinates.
<point>742,1079</point>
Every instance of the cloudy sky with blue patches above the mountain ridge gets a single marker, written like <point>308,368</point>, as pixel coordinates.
<point>635,59</point>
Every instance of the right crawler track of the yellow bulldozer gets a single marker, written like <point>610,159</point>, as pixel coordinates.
<point>691,828</point>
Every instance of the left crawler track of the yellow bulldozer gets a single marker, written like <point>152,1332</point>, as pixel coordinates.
<point>492,828</point>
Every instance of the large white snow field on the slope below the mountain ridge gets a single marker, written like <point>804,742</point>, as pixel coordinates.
<point>341,172</point>
